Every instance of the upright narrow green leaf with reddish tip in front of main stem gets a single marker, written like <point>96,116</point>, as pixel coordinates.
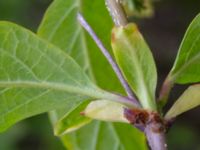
<point>136,62</point>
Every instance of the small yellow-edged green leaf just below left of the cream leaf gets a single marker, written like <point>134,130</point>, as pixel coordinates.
<point>72,120</point>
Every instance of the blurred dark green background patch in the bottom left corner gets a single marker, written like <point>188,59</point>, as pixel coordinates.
<point>32,134</point>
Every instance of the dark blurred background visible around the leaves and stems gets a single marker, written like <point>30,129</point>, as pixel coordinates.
<point>164,32</point>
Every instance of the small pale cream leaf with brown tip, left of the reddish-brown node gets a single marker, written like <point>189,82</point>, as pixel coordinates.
<point>106,111</point>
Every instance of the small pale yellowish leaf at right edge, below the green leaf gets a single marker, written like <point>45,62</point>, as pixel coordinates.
<point>188,100</point>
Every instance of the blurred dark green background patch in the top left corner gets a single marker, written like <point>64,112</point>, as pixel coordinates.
<point>24,12</point>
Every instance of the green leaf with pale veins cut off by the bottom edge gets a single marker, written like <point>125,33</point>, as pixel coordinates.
<point>105,136</point>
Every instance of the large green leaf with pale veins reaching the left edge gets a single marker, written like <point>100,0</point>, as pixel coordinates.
<point>37,77</point>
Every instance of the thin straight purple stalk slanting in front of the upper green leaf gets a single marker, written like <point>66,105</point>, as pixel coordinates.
<point>112,62</point>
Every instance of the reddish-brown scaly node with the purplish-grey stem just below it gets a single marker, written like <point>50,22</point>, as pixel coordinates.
<point>152,124</point>
